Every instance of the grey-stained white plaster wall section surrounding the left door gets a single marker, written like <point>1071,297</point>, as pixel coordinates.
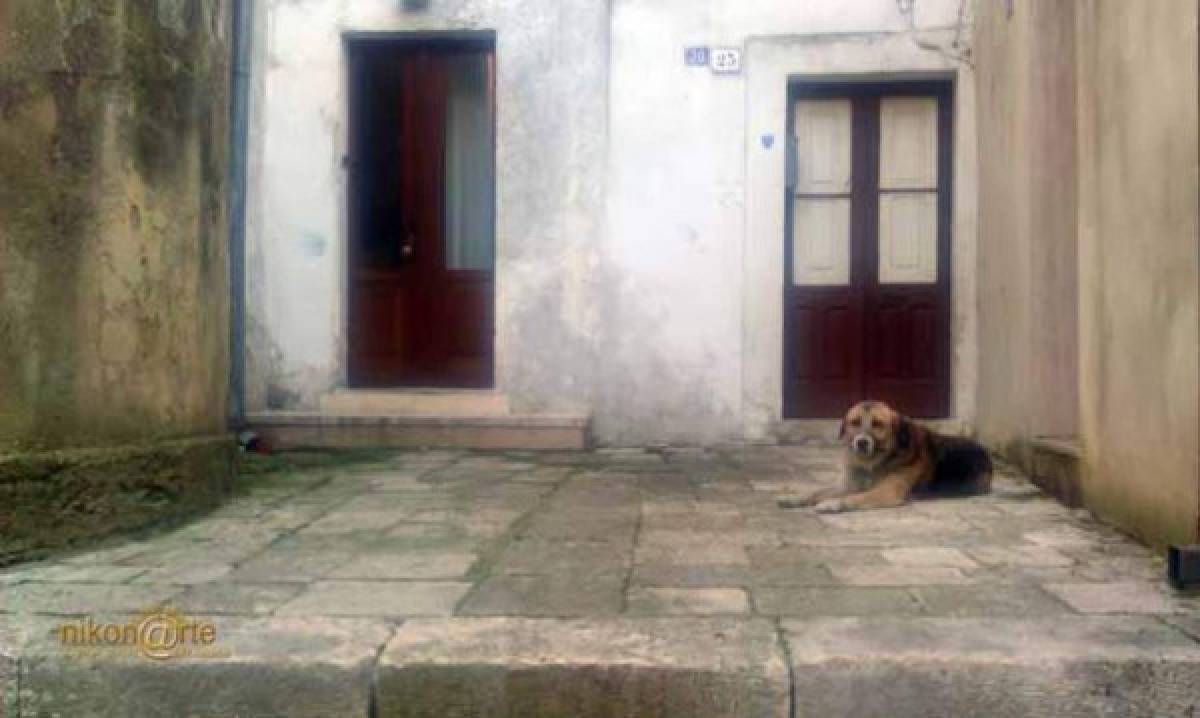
<point>551,139</point>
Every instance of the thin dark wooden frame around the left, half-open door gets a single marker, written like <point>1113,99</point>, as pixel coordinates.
<point>351,195</point>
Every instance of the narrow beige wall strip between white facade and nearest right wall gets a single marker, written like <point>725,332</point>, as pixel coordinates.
<point>1028,246</point>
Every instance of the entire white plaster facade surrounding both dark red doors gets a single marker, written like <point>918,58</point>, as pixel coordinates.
<point>637,262</point>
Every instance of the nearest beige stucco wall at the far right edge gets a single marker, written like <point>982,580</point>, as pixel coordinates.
<point>1139,256</point>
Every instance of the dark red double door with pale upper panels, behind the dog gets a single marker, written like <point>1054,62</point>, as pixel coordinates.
<point>868,249</point>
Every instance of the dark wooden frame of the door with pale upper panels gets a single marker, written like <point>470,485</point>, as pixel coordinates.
<point>865,265</point>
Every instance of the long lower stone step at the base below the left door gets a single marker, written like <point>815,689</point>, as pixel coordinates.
<point>482,432</point>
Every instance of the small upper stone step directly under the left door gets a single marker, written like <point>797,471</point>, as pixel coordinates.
<point>413,403</point>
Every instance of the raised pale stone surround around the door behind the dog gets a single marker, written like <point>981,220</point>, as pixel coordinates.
<point>771,63</point>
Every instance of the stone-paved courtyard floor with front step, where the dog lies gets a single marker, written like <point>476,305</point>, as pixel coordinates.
<point>380,572</point>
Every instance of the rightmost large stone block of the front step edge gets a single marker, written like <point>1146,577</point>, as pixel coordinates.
<point>1064,668</point>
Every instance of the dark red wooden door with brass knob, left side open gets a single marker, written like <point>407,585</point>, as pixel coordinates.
<point>419,316</point>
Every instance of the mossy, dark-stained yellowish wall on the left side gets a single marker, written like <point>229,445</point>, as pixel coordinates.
<point>113,252</point>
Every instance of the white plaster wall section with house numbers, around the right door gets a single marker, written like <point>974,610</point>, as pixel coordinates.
<point>695,202</point>
